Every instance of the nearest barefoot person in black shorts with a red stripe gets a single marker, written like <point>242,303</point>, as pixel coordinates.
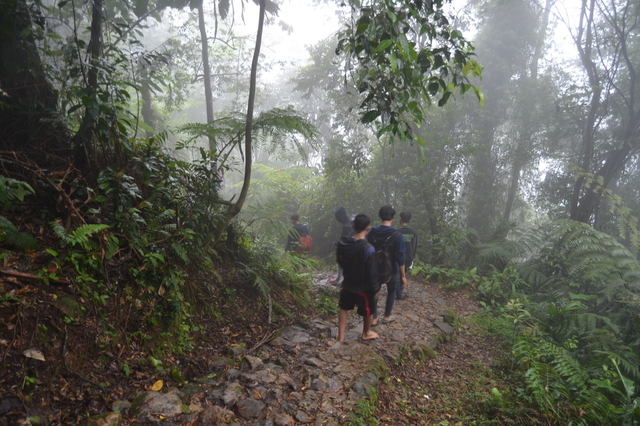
<point>360,286</point>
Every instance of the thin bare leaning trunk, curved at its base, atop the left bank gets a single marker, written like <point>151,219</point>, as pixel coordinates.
<point>235,208</point>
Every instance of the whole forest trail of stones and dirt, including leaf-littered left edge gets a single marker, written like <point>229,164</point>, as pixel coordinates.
<point>303,376</point>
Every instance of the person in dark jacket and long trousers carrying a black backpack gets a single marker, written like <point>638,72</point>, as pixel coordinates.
<point>385,238</point>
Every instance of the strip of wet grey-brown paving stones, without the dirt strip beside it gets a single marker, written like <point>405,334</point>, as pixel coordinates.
<point>302,376</point>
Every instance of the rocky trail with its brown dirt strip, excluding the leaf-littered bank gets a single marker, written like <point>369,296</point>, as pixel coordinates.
<point>302,375</point>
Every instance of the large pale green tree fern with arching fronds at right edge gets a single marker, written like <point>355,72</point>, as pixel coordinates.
<point>574,258</point>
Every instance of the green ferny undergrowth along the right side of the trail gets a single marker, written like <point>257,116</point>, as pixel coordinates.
<point>568,310</point>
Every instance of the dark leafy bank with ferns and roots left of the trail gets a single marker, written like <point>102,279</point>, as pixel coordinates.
<point>127,274</point>
